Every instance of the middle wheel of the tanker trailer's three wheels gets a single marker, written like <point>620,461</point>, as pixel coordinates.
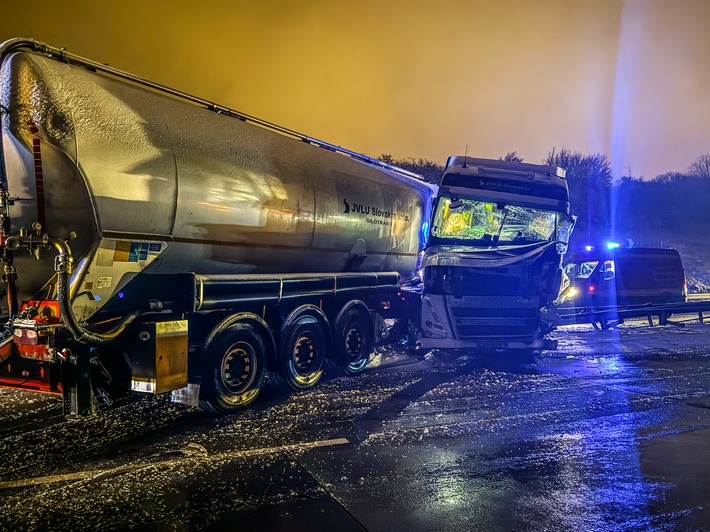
<point>304,342</point>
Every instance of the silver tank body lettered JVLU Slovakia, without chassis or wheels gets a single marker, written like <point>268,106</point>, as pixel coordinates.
<point>155,182</point>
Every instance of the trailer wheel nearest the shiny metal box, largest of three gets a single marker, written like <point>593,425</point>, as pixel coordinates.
<point>235,358</point>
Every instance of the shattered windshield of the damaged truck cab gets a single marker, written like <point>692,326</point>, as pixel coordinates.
<point>497,224</point>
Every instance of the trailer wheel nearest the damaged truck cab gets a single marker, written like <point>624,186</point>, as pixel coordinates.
<point>353,338</point>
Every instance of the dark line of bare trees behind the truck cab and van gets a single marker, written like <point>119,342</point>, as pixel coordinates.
<point>650,213</point>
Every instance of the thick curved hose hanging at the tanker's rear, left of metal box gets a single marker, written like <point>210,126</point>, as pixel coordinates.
<point>62,266</point>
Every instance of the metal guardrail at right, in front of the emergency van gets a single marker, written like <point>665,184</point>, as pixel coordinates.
<point>606,317</point>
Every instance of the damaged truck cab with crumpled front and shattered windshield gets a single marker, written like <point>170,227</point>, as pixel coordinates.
<point>492,269</point>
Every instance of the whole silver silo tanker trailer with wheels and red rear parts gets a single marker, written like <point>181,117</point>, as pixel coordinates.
<point>155,242</point>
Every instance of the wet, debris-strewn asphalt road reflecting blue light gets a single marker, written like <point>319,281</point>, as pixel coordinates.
<point>610,432</point>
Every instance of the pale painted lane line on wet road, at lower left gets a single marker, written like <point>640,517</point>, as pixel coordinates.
<point>97,474</point>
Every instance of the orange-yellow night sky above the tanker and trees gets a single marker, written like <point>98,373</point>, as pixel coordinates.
<point>626,78</point>
